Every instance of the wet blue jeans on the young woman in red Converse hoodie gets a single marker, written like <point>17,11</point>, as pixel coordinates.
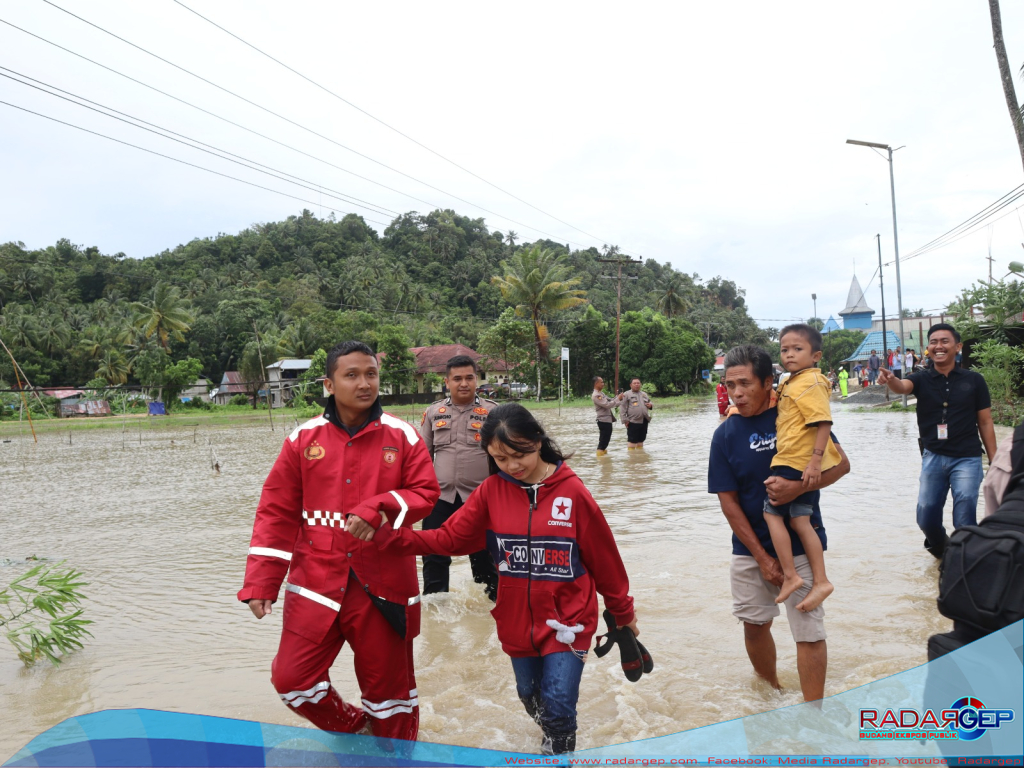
<point>549,689</point>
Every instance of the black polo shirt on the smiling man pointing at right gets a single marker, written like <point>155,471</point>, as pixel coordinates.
<point>954,401</point>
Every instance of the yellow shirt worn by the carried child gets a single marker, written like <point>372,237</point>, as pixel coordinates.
<point>803,404</point>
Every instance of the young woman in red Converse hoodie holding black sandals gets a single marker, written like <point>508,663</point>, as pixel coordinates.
<point>554,552</point>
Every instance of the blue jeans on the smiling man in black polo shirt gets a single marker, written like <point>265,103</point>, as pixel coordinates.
<point>940,475</point>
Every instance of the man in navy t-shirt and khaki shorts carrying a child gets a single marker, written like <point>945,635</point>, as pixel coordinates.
<point>740,473</point>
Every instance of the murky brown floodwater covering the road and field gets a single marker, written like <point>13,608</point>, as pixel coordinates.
<point>162,541</point>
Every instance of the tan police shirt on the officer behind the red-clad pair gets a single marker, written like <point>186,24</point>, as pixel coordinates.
<point>452,435</point>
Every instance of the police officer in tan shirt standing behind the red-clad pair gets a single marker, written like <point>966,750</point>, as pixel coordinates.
<point>451,430</point>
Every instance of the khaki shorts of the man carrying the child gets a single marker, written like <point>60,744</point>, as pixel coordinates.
<point>754,600</point>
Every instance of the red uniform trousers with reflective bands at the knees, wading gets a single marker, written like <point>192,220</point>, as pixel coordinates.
<point>301,672</point>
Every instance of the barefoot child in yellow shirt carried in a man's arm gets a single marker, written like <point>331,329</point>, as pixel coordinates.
<point>804,451</point>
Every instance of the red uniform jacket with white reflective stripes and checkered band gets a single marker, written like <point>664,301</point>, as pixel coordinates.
<point>321,477</point>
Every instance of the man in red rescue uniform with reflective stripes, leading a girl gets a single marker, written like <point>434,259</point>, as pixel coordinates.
<point>353,476</point>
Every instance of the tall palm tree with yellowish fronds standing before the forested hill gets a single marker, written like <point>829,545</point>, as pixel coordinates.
<point>537,284</point>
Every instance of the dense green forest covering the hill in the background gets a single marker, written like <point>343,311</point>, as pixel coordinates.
<point>73,316</point>
